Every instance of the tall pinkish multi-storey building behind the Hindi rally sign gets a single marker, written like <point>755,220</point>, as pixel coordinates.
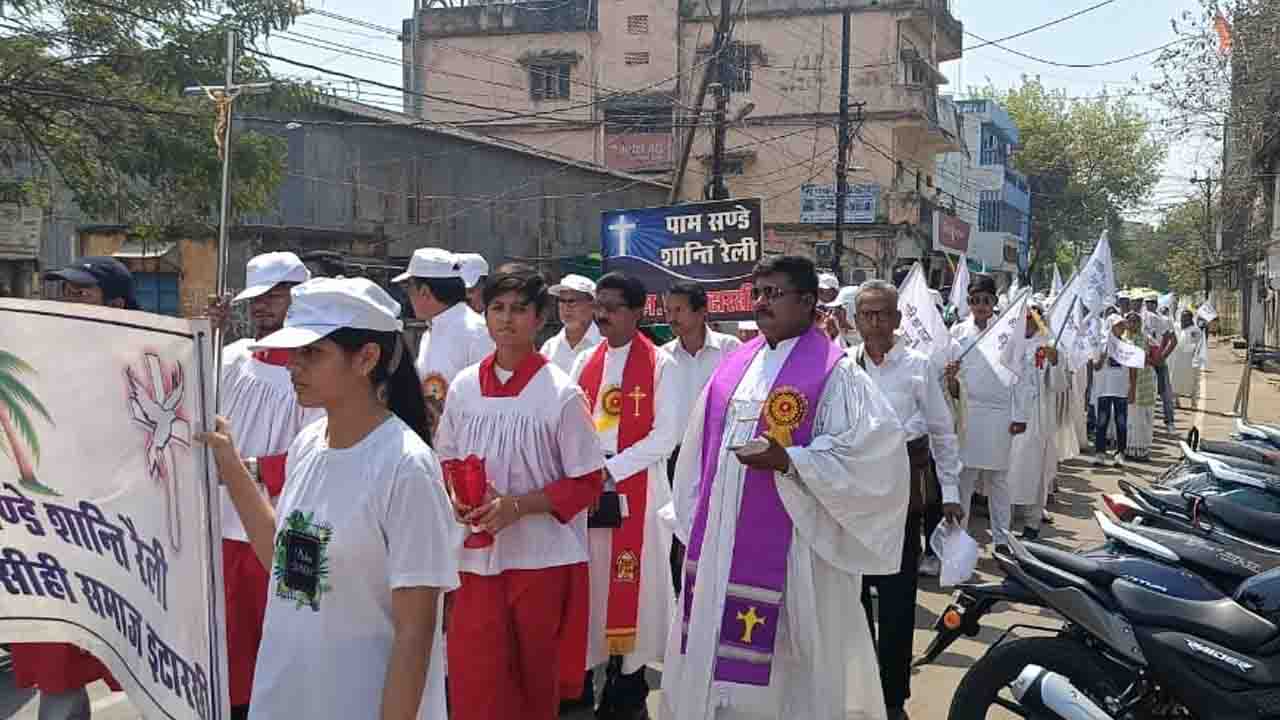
<point>614,83</point>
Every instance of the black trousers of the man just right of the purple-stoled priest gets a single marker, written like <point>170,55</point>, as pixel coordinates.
<point>897,616</point>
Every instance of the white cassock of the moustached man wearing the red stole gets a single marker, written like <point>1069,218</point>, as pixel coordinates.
<point>651,454</point>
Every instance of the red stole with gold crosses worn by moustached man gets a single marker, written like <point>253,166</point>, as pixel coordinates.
<point>636,423</point>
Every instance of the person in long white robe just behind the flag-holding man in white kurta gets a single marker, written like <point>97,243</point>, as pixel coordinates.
<point>1034,457</point>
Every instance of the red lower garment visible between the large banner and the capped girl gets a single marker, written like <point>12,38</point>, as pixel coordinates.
<point>246,582</point>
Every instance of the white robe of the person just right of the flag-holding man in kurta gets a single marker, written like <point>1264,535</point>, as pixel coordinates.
<point>1034,455</point>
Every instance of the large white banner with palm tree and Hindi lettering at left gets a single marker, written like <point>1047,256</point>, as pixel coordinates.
<point>109,517</point>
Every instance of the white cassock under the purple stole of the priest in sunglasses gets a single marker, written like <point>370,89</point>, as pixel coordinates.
<point>848,503</point>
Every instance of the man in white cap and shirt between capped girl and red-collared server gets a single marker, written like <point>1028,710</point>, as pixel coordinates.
<point>459,338</point>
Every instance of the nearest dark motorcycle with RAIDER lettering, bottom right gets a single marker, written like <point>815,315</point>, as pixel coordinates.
<point>1144,637</point>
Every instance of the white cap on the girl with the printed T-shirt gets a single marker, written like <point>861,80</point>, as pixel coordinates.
<point>324,306</point>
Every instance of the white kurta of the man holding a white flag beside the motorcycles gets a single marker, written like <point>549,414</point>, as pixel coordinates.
<point>990,407</point>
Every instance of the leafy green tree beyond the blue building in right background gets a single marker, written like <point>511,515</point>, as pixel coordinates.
<point>1089,163</point>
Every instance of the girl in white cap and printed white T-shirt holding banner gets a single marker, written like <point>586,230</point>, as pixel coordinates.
<point>363,543</point>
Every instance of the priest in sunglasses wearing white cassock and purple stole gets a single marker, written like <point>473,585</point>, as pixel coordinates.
<point>788,491</point>
